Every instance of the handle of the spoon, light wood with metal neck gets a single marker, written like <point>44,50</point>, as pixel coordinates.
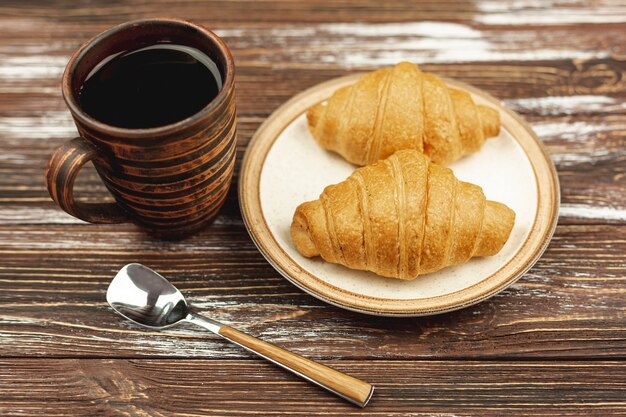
<point>352,389</point>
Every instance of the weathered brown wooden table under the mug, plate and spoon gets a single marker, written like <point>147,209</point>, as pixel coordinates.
<point>552,344</point>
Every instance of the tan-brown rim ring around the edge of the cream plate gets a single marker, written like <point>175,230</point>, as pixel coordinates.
<point>542,230</point>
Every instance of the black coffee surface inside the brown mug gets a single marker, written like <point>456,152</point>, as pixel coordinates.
<point>149,87</point>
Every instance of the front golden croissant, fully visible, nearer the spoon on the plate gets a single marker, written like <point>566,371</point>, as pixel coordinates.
<point>400,218</point>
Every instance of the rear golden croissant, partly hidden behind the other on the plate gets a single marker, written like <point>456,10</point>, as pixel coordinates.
<point>401,108</point>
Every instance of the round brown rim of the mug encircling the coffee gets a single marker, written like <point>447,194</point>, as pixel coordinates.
<point>173,128</point>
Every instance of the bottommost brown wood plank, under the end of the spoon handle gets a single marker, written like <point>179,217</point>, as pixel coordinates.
<point>242,388</point>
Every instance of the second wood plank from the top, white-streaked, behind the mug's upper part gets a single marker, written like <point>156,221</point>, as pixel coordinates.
<point>562,60</point>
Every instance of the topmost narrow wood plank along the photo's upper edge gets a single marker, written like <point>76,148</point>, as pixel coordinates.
<point>483,11</point>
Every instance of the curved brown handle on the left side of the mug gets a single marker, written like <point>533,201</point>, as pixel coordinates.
<point>63,167</point>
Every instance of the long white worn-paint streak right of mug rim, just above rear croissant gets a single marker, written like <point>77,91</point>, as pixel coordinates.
<point>350,45</point>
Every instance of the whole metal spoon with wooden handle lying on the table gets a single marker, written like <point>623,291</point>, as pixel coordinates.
<point>145,297</point>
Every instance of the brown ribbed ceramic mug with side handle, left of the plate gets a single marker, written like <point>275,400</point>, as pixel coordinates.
<point>170,179</point>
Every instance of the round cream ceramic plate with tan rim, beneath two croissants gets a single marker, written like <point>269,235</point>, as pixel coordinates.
<point>284,167</point>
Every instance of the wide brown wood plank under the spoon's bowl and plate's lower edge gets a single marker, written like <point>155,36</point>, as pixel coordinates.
<point>571,304</point>
